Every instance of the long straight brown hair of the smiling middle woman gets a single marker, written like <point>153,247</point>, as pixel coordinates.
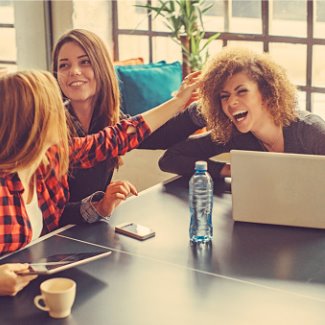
<point>107,99</point>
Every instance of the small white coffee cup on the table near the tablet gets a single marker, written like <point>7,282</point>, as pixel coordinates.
<point>58,295</point>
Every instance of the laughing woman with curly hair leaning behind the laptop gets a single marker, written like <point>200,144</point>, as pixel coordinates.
<point>249,104</point>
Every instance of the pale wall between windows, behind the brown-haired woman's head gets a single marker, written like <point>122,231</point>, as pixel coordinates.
<point>32,28</point>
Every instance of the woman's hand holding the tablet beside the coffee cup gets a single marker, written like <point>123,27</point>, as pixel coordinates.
<point>10,282</point>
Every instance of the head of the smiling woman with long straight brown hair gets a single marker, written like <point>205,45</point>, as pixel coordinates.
<point>85,72</point>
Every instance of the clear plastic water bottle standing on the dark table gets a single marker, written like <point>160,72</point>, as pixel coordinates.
<point>201,201</point>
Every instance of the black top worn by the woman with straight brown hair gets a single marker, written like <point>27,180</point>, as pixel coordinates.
<point>84,182</point>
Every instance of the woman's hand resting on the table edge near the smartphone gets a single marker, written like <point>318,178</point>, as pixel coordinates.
<point>116,192</point>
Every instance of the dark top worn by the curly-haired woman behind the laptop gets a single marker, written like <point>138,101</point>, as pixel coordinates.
<point>306,135</point>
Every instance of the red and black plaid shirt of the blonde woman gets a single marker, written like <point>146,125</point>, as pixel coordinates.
<point>53,192</point>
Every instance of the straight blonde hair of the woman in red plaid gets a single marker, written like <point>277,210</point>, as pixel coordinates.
<point>31,106</point>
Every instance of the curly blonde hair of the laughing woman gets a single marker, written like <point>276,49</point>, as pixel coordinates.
<point>277,91</point>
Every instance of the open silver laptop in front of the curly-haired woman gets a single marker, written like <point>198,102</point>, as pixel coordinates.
<point>278,188</point>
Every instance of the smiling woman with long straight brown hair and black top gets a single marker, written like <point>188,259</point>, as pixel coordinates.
<point>86,76</point>
